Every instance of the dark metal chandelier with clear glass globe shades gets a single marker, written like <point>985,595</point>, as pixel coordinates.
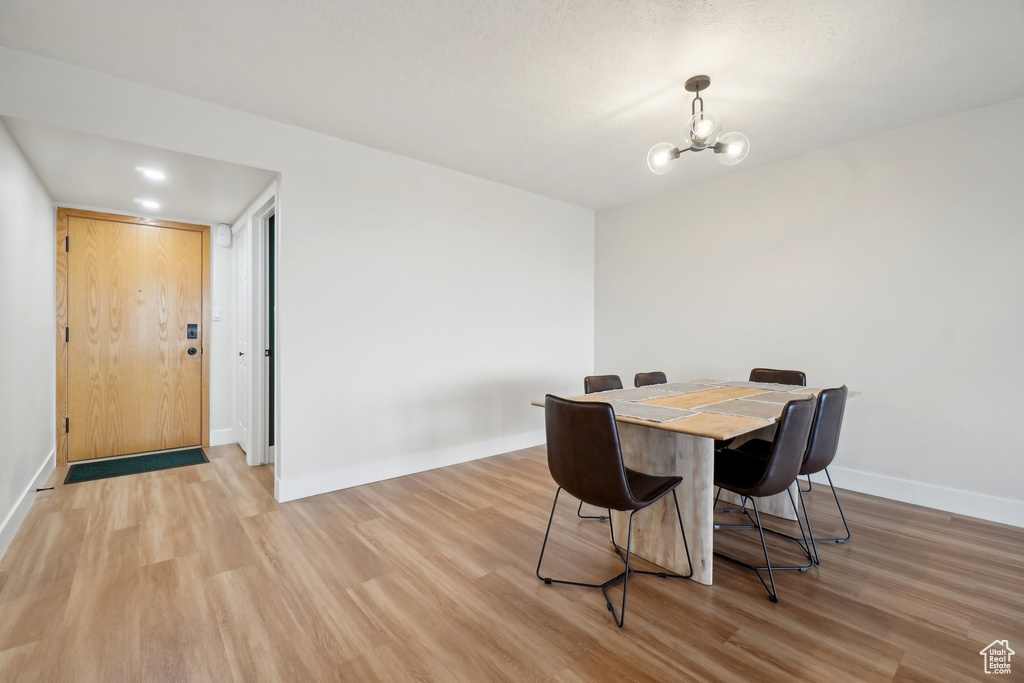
<point>705,133</point>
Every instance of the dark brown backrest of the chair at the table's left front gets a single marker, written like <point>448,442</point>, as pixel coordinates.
<point>584,456</point>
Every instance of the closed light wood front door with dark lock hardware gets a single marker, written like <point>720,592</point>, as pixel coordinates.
<point>136,379</point>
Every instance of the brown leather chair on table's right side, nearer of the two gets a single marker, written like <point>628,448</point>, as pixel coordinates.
<point>747,472</point>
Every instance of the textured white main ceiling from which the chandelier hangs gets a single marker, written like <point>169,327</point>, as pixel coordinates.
<point>563,98</point>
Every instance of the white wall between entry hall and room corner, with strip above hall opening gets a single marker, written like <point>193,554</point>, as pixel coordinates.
<point>421,310</point>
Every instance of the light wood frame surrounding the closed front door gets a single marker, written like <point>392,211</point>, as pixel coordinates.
<point>63,215</point>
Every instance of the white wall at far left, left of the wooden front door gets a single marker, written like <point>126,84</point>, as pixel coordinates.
<point>27,337</point>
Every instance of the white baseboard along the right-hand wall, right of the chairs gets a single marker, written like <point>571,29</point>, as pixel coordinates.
<point>966,503</point>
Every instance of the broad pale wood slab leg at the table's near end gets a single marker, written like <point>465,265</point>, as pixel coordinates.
<point>656,531</point>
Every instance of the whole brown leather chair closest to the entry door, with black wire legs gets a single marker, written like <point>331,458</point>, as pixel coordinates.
<point>585,459</point>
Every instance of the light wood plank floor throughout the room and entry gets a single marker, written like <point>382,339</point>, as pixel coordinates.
<point>197,574</point>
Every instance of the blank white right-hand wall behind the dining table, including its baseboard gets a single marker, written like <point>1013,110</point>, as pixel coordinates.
<point>892,265</point>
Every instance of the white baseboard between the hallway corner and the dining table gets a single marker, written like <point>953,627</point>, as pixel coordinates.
<point>357,476</point>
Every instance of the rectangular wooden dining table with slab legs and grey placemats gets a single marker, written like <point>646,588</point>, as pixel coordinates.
<point>681,442</point>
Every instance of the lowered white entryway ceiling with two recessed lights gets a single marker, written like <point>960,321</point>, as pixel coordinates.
<point>90,170</point>
